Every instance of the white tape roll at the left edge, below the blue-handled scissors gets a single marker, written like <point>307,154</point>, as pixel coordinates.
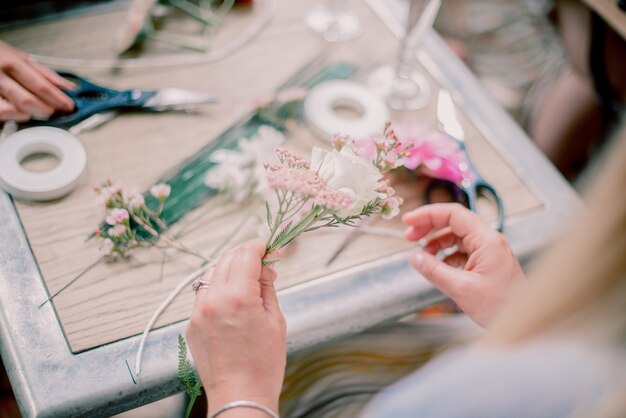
<point>47,185</point>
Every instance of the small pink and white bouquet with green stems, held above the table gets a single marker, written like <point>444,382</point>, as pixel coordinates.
<point>335,188</point>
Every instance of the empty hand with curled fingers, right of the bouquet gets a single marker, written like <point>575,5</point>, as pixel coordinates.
<point>482,273</point>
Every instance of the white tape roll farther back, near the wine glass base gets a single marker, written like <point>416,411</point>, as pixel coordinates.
<point>321,114</point>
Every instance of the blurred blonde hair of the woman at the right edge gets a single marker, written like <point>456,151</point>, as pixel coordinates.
<point>580,285</point>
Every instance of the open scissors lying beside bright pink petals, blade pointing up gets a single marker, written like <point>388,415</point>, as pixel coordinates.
<point>473,185</point>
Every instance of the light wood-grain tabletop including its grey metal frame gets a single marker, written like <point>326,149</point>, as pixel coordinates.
<point>85,336</point>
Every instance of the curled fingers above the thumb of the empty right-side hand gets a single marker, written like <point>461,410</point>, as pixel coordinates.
<point>462,222</point>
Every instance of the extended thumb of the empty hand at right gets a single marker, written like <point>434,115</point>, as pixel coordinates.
<point>444,277</point>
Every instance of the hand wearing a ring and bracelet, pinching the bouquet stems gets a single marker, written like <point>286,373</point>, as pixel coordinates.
<point>236,333</point>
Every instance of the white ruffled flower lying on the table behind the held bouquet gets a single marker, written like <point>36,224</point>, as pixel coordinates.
<point>242,171</point>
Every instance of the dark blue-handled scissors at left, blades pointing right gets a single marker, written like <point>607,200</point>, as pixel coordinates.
<point>95,104</point>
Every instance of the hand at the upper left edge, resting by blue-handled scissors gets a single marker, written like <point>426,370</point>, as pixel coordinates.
<point>28,89</point>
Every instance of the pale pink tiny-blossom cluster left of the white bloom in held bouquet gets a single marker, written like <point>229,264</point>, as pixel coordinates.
<point>292,174</point>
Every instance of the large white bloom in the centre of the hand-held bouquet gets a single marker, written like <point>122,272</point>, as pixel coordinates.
<point>345,171</point>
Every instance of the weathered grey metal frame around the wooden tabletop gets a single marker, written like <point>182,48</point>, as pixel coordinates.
<point>50,381</point>
